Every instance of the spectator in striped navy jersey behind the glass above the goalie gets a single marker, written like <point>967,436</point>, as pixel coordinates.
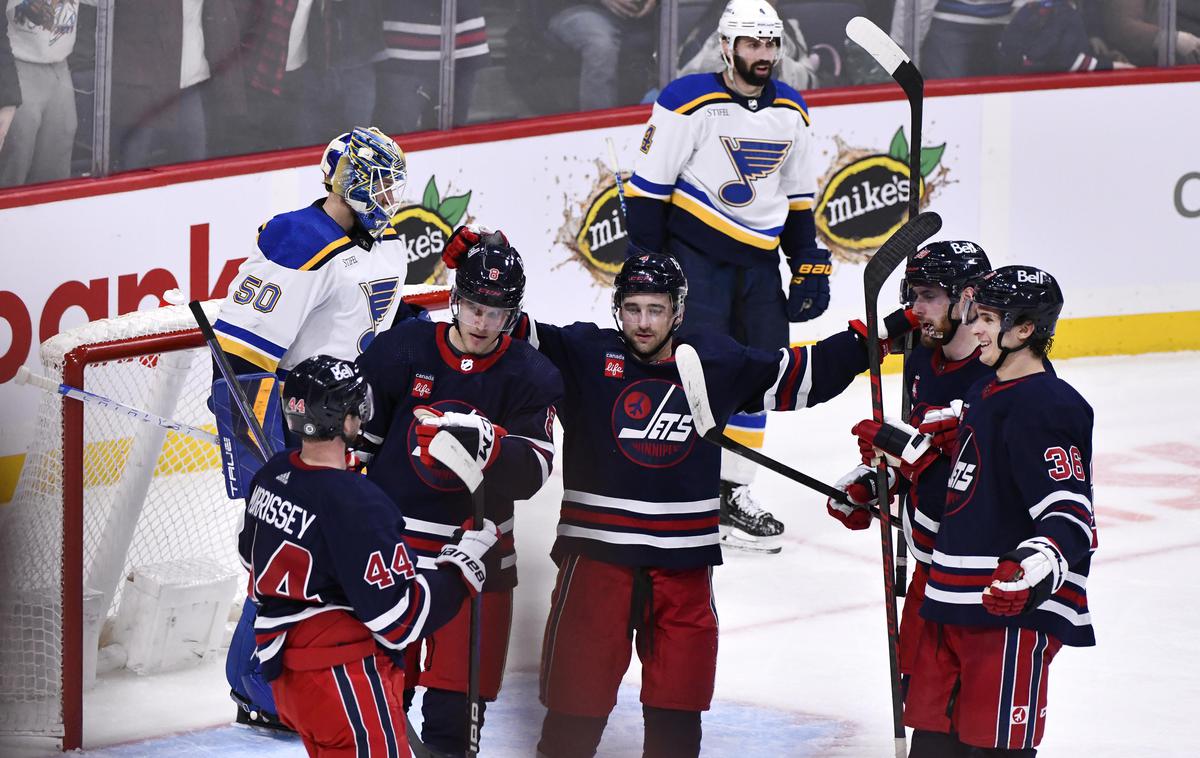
<point>410,74</point>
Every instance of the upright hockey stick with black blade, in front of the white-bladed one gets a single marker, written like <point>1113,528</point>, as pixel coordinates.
<point>898,248</point>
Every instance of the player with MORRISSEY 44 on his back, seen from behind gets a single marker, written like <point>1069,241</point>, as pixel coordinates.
<point>338,593</point>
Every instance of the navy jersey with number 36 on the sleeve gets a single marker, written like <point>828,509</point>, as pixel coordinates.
<point>1023,471</point>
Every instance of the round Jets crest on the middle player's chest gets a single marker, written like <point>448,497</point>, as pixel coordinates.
<point>652,424</point>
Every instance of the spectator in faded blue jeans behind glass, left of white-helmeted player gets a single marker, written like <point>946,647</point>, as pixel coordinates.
<point>603,34</point>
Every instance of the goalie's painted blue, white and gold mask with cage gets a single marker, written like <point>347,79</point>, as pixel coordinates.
<point>371,177</point>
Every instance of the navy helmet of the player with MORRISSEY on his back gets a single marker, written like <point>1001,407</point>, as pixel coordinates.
<point>321,393</point>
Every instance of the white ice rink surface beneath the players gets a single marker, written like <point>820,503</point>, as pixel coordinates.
<point>803,666</point>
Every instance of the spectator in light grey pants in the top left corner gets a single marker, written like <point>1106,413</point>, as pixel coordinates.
<point>40,139</point>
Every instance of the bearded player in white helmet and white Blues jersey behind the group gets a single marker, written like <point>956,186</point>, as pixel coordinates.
<point>724,179</point>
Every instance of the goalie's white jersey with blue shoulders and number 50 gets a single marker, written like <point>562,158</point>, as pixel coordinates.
<point>310,290</point>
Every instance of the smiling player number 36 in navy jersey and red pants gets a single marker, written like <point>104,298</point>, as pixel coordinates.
<point>1007,583</point>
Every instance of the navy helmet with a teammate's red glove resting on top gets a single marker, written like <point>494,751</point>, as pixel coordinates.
<point>493,274</point>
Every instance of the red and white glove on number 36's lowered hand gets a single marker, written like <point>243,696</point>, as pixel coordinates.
<point>1025,579</point>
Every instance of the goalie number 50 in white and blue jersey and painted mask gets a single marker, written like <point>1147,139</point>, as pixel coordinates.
<point>322,280</point>
